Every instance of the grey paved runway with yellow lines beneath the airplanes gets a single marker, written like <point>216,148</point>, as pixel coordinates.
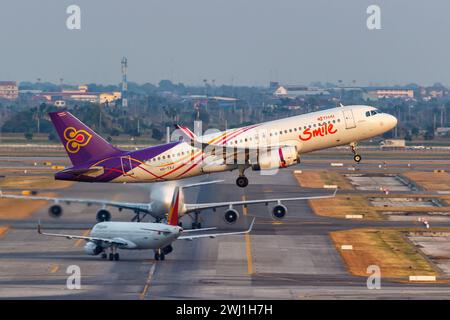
<point>291,259</point>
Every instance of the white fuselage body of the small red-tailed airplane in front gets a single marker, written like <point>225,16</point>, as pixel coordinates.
<point>140,235</point>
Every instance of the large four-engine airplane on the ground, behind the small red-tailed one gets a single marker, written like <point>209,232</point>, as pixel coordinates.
<point>158,208</point>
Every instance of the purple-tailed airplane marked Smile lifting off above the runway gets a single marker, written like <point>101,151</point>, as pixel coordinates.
<point>266,146</point>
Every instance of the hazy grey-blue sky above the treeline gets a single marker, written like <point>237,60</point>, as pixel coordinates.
<point>240,42</point>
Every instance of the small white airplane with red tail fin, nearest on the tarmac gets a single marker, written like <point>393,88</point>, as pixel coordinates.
<point>140,236</point>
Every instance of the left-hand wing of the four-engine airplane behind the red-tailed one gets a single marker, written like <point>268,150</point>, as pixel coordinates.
<point>142,207</point>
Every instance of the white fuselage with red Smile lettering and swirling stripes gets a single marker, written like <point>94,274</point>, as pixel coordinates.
<point>308,132</point>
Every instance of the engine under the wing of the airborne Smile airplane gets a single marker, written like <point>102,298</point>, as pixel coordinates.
<point>277,158</point>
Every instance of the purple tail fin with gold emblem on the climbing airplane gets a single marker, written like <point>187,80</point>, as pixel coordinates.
<point>81,143</point>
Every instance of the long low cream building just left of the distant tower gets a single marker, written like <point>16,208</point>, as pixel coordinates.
<point>82,94</point>
